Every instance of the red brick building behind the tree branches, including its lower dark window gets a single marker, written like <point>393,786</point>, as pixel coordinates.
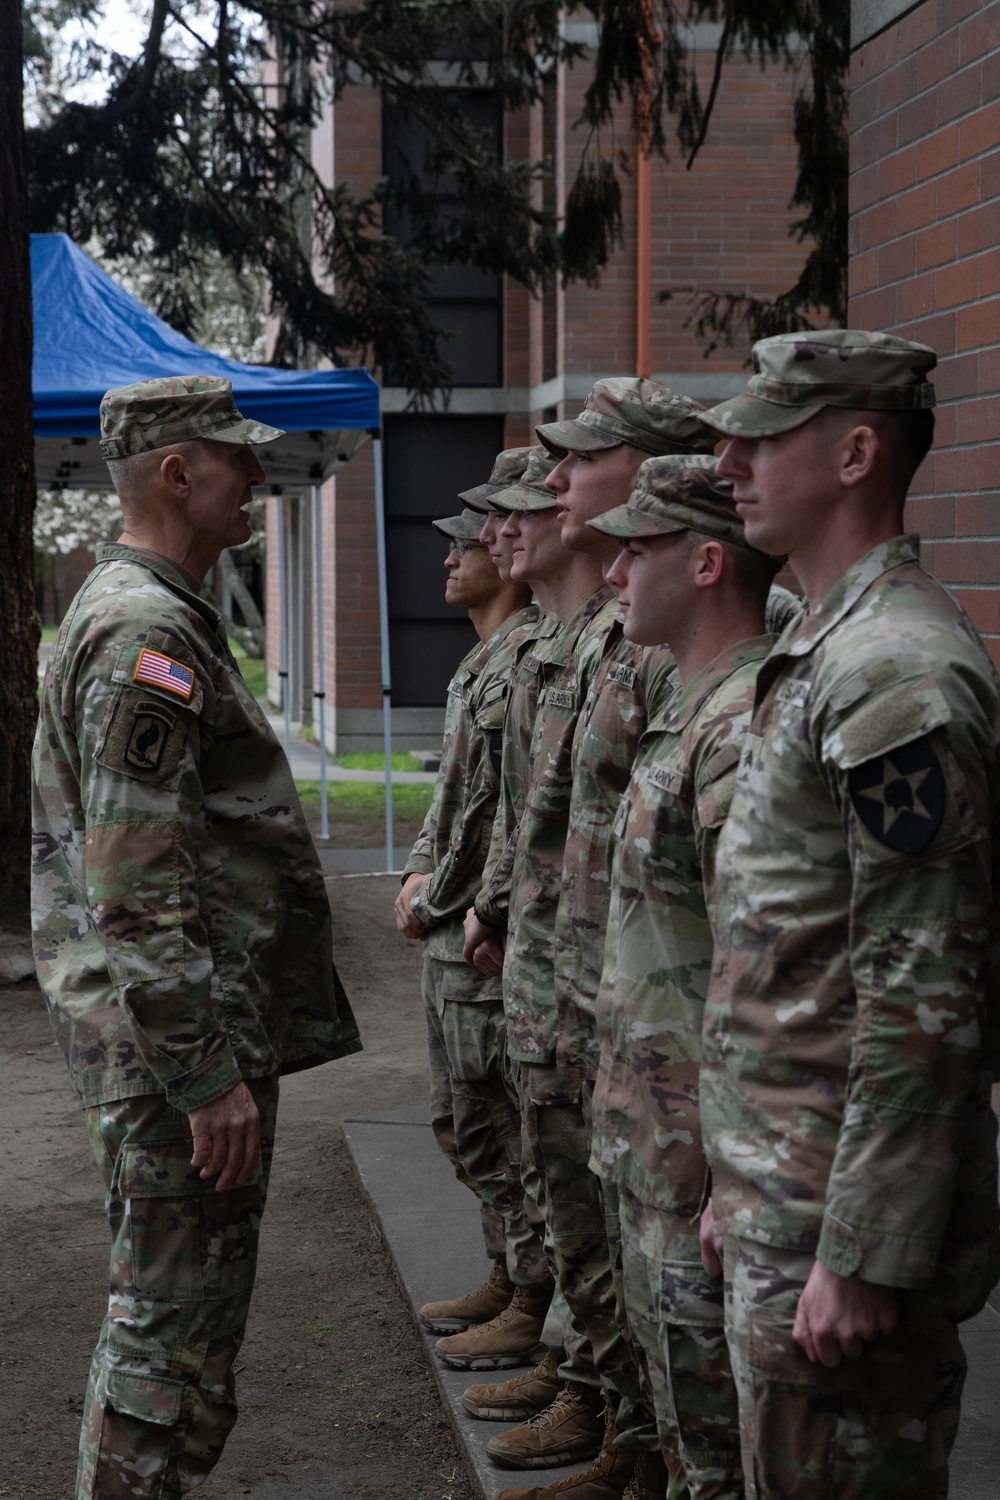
<point>519,361</point>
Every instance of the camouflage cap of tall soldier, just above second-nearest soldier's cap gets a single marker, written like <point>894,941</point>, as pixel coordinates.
<point>627,410</point>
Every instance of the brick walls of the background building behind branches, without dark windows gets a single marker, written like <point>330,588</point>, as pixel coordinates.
<point>722,226</point>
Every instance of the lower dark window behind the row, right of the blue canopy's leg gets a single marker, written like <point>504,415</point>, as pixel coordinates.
<point>428,461</point>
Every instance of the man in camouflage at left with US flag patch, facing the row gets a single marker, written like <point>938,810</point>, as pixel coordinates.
<point>182,934</point>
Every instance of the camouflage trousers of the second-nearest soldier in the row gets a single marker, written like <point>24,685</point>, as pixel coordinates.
<point>675,1312</point>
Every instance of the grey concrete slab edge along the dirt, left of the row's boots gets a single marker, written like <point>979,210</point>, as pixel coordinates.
<point>431,1229</point>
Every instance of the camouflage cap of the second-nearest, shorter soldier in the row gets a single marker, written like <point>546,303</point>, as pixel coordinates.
<point>677,494</point>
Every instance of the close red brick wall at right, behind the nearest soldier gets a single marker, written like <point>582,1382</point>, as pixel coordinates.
<point>926,263</point>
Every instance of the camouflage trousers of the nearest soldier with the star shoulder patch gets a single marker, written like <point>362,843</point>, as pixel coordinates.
<point>879,1427</point>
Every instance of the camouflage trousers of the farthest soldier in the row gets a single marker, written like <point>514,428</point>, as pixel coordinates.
<point>476,1115</point>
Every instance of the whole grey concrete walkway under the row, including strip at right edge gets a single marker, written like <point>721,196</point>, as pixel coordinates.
<point>433,1231</point>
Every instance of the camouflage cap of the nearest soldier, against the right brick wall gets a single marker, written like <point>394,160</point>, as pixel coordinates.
<point>798,374</point>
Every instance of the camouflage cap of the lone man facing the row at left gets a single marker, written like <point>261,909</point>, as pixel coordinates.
<point>158,413</point>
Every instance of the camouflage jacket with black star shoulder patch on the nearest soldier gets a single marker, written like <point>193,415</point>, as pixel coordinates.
<point>843,1090</point>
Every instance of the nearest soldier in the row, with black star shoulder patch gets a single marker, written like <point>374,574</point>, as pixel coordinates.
<point>845,1088</point>
